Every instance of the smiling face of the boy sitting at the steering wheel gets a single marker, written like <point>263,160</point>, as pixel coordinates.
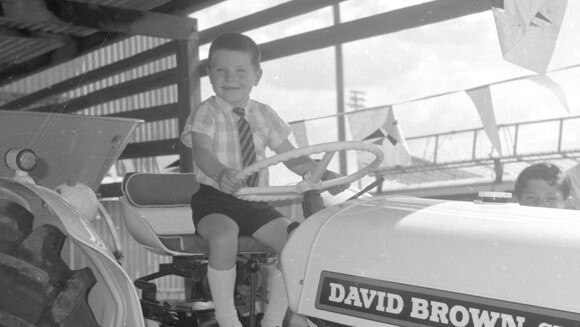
<point>233,76</point>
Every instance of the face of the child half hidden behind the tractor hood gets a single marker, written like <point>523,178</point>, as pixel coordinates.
<point>538,193</point>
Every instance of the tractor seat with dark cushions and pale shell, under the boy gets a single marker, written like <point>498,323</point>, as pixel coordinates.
<point>158,215</point>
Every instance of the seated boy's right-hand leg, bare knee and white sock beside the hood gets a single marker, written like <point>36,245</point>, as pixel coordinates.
<point>274,234</point>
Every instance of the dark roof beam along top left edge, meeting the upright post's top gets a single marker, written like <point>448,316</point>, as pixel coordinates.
<point>97,17</point>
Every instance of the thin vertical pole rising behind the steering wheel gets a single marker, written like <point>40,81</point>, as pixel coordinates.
<point>340,94</point>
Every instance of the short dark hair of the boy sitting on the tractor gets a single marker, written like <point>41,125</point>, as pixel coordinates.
<point>236,42</point>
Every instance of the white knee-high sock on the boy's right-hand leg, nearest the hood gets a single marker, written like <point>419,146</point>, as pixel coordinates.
<point>278,303</point>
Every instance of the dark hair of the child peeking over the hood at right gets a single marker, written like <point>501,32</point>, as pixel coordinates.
<point>543,171</point>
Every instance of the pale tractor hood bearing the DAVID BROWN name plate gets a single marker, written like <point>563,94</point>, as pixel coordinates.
<point>522,262</point>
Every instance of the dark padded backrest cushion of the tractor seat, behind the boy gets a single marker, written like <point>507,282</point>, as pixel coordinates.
<point>159,190</point>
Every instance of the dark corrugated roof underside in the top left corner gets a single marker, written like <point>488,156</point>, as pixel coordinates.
<point>31,30</point>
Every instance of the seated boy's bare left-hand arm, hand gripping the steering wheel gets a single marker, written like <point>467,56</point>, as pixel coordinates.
<point>209,164</point>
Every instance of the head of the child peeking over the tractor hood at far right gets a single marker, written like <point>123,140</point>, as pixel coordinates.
<point>542,185</point>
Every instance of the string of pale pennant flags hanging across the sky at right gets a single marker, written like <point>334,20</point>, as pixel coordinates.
<point>527,32</point>
